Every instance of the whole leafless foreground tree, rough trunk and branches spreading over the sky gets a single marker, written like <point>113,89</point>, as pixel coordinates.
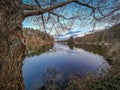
<point>12,14</point>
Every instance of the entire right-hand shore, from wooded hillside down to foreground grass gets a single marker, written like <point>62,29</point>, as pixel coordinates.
<point>109,39</point>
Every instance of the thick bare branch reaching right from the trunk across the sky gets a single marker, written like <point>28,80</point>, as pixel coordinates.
<point>39,10</point>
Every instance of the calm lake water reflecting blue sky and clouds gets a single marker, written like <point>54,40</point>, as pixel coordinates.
<point>63,63</point>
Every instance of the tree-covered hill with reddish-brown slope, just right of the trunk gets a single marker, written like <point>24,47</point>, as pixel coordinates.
<point>36,36</point>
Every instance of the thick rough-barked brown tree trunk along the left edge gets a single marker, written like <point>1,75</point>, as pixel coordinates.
<point>11,47</point>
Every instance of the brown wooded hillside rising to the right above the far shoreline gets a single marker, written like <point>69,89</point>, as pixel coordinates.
<point>109,35</point>
